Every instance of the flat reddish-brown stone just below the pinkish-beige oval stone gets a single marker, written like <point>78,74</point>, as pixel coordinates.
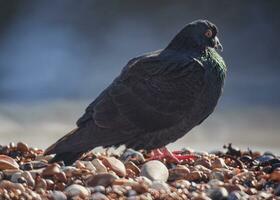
<point>104,179</point>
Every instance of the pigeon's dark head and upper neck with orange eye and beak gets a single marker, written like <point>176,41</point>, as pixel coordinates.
<point>199,35</point>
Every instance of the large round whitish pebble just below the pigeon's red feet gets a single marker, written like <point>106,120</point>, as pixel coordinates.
<point>155,170</point>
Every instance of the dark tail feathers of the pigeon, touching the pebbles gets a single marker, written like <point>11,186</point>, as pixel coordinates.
<point>68,148</point>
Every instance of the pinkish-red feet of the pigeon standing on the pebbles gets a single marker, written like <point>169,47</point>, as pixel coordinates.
<point>175,156</point>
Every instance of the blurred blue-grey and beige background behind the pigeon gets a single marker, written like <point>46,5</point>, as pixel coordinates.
<point>56,57</point>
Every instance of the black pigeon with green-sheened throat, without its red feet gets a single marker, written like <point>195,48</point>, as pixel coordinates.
<point>157,98</point>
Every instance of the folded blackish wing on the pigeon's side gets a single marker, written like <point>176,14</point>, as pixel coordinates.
<point>150,94</point>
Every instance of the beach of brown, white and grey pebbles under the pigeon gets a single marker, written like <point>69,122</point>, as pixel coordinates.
<point>230,173</point>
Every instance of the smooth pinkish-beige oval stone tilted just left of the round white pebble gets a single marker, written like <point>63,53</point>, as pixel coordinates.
<point>115,165</point>
